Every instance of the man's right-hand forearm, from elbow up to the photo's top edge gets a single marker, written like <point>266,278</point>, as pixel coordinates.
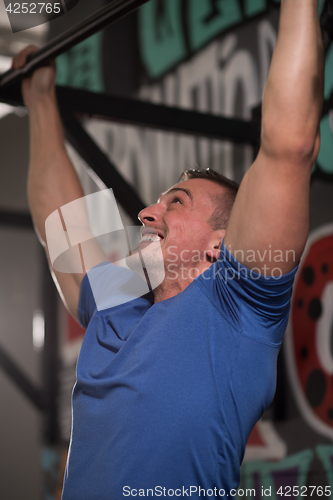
<point>292,102</point>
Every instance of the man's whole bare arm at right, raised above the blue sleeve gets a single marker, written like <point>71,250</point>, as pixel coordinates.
<point>271,212</point>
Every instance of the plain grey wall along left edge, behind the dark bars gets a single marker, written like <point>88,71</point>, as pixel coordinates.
<point>20,283</point>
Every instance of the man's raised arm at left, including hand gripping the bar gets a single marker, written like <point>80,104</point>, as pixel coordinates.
<point>52,180</point>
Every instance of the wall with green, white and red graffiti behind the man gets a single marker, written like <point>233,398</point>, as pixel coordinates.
<point>214,56</point>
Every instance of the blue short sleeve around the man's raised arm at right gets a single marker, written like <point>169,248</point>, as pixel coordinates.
<point>258,304</point>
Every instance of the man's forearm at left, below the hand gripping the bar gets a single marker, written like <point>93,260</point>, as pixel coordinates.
<point>52,180</point>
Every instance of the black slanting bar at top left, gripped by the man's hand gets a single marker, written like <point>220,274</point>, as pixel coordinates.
<point>109,14</point>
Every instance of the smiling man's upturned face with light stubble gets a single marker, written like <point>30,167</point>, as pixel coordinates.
<point>178,225</point>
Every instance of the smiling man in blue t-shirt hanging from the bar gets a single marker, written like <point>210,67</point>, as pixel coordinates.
<point>169,385</point>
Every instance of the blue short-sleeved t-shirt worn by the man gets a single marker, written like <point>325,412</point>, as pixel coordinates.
<point>168,393</point>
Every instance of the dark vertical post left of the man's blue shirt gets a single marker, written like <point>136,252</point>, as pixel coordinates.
<point>50,366</point>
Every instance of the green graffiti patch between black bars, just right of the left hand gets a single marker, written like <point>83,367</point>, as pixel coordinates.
<point>81,67</point>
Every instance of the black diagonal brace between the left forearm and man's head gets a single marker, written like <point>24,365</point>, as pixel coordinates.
<point>100,163</point>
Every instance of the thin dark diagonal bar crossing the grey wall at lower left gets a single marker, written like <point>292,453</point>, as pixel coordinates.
<point>21,381</point>
